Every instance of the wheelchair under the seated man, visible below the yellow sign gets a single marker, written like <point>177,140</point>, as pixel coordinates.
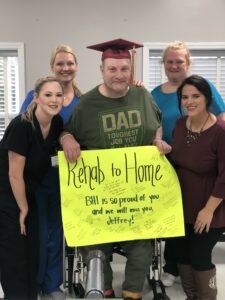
<point>74,271</point>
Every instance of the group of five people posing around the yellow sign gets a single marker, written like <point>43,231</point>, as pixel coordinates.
<point>182,117</point>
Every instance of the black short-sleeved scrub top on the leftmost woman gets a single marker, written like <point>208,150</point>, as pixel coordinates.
<point>21,137</point>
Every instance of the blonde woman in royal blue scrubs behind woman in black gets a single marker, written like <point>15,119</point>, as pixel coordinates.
<point>63,64</point>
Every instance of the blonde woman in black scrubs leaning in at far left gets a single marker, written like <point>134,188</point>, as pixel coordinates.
<point>27,151</point>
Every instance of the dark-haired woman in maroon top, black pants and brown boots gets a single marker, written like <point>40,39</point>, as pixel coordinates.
<point>198,149</point>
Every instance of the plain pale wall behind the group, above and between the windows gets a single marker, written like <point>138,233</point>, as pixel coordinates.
<point>42,24</point>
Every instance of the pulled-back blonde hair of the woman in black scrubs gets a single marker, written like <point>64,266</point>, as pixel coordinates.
<point>28,114</point>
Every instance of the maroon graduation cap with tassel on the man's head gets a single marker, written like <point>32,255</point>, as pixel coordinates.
<point>118,49</point>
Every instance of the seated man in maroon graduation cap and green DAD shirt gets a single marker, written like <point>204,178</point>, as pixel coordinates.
<point>123,110</point>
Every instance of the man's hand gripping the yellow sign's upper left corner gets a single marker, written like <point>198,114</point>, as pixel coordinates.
<point>70,147</point>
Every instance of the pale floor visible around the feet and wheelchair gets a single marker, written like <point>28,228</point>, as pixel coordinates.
<point>175,292</point>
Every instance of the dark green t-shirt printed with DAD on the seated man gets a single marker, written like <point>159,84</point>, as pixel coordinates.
<point>99,122</point>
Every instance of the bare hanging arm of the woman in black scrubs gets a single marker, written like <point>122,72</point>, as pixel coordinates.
<point>16,169</point>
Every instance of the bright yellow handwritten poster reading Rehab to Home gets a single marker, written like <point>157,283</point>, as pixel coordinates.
<point>119,194</point>
